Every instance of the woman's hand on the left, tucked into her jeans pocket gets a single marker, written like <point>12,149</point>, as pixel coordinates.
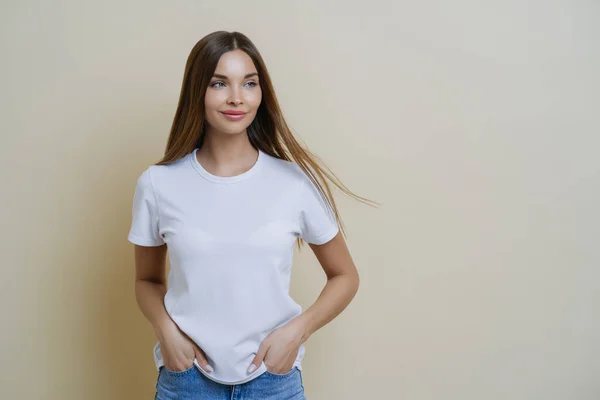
<point>179,351</point>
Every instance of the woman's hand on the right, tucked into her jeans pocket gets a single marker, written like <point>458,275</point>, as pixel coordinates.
<point>279,349</point>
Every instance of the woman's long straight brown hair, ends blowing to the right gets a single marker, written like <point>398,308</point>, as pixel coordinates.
<point>268,131</point>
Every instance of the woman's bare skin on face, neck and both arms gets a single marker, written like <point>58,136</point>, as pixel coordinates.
<point>227,152</point>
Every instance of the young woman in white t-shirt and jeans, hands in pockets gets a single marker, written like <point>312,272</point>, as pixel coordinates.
<point>233,193</point>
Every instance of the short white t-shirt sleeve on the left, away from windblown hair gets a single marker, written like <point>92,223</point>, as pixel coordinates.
<point>144,229</point>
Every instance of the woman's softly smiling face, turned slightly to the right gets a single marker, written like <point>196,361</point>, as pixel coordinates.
<point>234,87</point>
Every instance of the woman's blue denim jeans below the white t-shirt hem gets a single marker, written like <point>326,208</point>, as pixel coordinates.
<point>191,384</point>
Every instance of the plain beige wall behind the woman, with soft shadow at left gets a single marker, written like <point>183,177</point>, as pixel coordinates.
<point>475,124</point>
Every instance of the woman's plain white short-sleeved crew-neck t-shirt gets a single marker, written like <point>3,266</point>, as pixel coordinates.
<point>230,243</point>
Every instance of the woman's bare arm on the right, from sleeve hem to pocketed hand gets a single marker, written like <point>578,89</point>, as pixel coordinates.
<point>341,287</point>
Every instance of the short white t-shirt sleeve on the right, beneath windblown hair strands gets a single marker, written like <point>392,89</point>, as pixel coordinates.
<point>318,224</point>
